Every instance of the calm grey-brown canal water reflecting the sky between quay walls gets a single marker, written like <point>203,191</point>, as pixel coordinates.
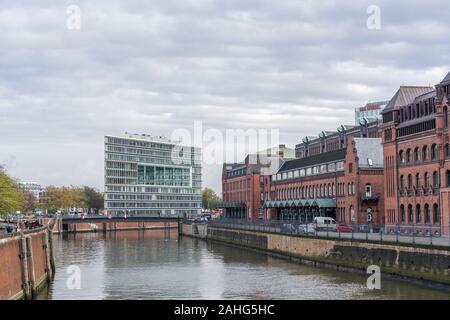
<point>158,265</point>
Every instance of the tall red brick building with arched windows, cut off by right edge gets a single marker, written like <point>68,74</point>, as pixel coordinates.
<point>415,133</point>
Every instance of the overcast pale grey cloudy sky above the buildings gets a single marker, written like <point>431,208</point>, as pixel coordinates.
<point>156,66</point>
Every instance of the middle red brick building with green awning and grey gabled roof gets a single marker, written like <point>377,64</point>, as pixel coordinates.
<point>345,183</point>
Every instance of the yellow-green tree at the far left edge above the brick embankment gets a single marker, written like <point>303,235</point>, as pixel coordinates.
<point>11,198</point>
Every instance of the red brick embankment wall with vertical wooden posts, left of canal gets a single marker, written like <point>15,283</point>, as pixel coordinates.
<point>27,263</point>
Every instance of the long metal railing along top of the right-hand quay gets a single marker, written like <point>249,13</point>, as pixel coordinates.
<point>420,234</point>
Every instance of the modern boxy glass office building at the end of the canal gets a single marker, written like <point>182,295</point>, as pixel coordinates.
<point>152,176</point>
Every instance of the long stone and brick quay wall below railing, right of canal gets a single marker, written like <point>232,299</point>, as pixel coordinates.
<point>423,265</point>
